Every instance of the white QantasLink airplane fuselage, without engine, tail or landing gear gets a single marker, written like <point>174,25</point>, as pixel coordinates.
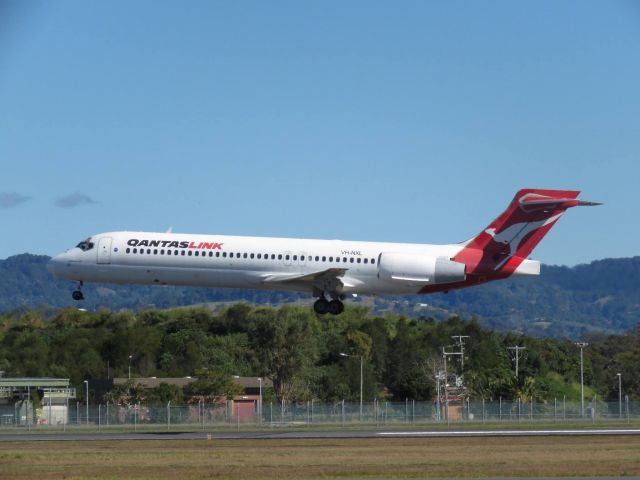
<point>237,262</point>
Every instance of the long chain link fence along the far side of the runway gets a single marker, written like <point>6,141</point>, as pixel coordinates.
<point>341,414</point>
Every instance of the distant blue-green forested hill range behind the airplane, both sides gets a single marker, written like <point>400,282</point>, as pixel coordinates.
<point>603,296</point>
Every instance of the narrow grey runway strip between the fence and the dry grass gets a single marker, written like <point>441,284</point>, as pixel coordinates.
<point>57,437</point>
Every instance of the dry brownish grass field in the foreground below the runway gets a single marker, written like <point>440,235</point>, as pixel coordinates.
<point>324,458</point>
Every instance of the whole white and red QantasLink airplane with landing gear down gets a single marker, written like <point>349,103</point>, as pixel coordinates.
<point>330,270</point>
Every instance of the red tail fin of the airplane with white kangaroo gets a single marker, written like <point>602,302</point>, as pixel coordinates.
<point>510,238</point>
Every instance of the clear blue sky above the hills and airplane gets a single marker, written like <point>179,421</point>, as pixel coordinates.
<point>389,121</point>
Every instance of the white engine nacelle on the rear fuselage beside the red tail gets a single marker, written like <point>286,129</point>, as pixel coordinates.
<point>412,268</point>
